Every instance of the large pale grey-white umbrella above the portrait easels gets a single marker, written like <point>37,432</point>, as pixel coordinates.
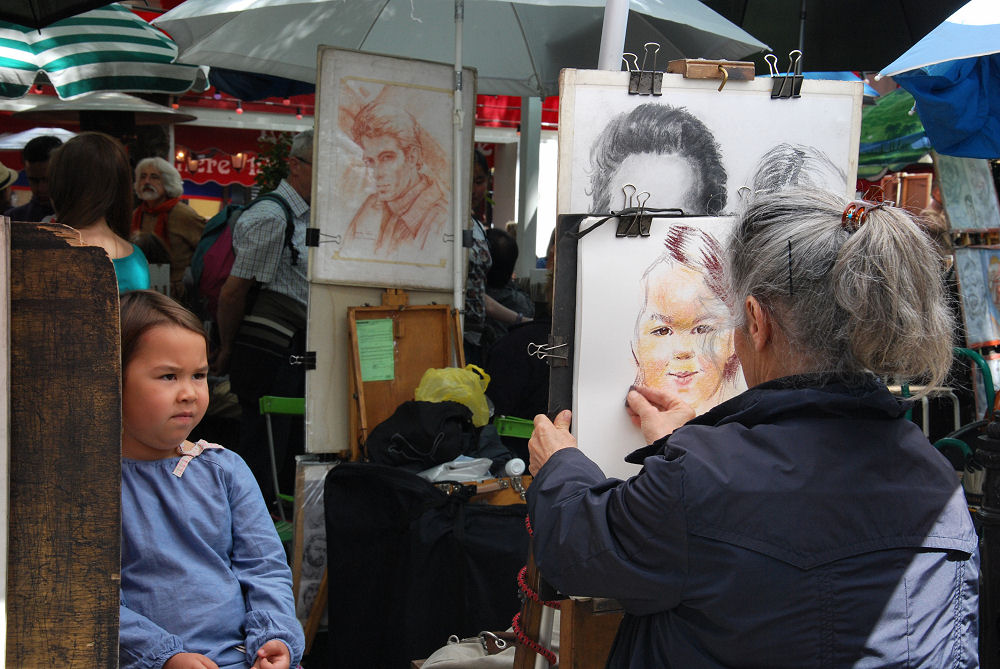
<point>518,48</point>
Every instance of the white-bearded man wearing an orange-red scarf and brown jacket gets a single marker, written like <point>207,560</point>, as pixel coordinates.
<point>161,213</point>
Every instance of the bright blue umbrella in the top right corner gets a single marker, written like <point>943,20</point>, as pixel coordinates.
<point>954,76</point>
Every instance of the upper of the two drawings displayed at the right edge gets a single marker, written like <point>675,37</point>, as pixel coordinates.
<point>970,196</point>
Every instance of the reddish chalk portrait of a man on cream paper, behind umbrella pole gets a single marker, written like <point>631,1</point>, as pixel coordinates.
<point>384,201</point>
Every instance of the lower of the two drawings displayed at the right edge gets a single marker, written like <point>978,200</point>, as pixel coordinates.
<point>978,272</point>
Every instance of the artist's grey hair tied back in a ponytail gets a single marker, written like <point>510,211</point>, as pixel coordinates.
<point>848,302</point>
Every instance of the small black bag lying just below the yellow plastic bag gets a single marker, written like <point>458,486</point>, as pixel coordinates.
<point>419,435</point>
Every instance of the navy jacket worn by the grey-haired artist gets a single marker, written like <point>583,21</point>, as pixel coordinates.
<point>788,527</point>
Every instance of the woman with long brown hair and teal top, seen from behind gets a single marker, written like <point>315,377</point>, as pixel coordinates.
<point>90,184</point>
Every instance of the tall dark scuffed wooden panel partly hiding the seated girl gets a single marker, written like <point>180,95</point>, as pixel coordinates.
<point>65,447</point>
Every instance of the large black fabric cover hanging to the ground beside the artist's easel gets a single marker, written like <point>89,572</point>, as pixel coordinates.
<point>409,565</point>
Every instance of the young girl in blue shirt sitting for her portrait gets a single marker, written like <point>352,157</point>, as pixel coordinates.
<point>204,582</point>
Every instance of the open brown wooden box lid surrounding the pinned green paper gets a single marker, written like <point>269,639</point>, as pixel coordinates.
<point>424,336</point>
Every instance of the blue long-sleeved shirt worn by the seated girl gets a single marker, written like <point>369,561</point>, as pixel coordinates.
<point>203,570</point>
